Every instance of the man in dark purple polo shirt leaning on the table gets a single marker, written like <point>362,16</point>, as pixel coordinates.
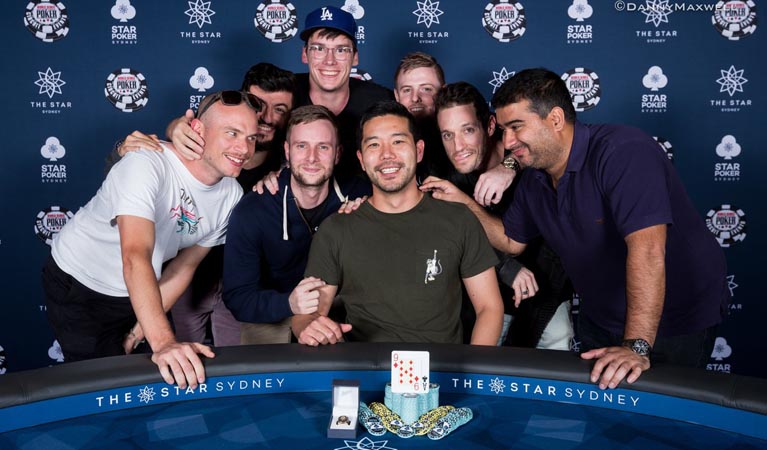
<point>605,197</point>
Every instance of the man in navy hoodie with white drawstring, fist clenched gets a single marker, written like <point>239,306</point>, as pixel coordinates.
<point>269,235</point>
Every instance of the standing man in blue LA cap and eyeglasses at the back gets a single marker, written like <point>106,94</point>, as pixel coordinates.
<point>330,51</point>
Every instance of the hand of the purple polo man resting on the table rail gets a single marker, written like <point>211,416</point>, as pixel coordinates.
<point>614,363</point>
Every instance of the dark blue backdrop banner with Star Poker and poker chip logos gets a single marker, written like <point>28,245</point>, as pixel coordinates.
<point>78,75</point>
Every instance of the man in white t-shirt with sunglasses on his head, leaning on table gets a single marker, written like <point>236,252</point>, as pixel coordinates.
<point>106,267</point>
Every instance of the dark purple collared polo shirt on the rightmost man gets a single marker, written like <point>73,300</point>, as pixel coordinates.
<point>618,181</point>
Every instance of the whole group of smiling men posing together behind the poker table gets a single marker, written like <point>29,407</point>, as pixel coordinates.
<point>449,207</point>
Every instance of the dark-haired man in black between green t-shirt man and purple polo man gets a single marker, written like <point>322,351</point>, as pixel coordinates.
<point>468,135</point>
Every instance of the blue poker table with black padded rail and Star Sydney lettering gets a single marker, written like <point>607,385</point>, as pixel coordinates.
<point>279,396</point>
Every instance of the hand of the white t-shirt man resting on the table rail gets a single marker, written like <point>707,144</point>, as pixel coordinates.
<point>178,362</point>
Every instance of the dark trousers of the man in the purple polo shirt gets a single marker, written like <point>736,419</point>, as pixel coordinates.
<point>691,350</point>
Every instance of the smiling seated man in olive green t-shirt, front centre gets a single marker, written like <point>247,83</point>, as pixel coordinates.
<point>397,262</point>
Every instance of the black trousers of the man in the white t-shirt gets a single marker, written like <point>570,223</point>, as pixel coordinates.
<point>87,324</point>
